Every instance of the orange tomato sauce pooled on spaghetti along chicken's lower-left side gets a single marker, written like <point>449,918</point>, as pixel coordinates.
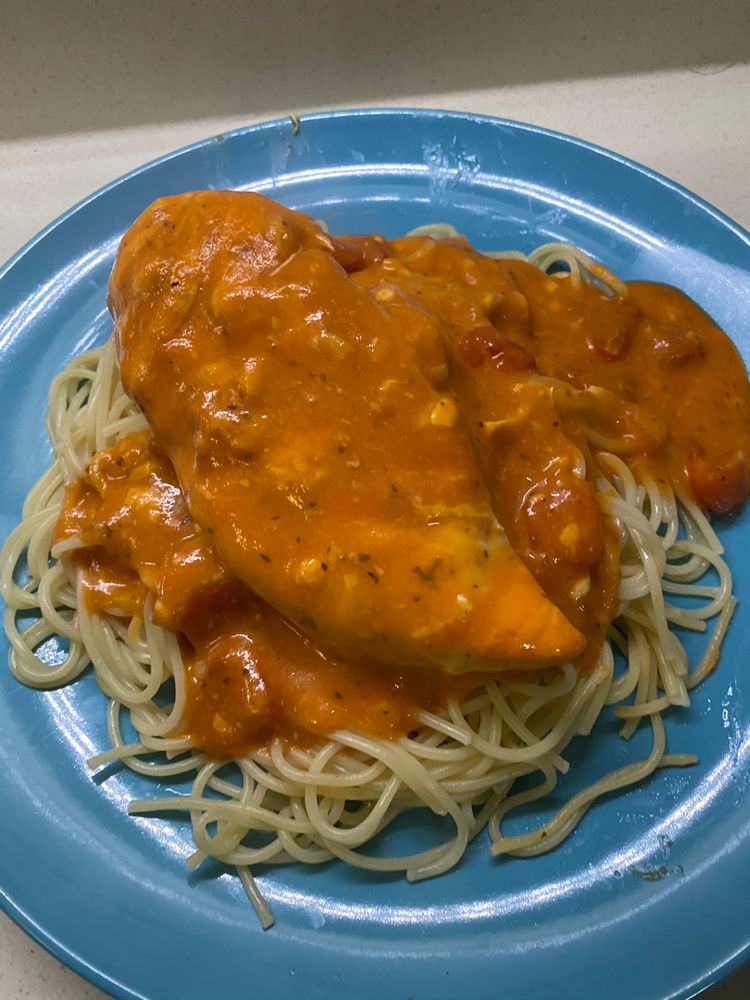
<point>251,674</point>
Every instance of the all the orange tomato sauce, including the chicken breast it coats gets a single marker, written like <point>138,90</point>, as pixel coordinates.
<point>372,464</point>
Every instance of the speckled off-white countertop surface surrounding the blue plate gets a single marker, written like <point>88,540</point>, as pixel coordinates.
<point>90,90</point>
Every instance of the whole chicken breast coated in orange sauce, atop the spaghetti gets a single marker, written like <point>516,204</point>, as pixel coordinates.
<point>314,432</point>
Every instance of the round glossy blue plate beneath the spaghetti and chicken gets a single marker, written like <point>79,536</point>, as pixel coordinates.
<point>649,898</point>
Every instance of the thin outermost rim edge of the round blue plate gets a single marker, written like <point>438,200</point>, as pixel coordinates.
<point>49,942</point>
